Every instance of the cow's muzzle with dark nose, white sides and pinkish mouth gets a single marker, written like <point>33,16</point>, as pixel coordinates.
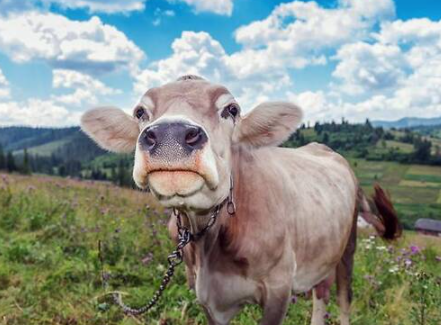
<point>174,158</point>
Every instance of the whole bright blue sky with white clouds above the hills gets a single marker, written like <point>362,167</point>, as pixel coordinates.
<point>356,59</point>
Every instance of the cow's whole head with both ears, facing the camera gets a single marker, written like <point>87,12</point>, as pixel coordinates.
<point>183,133</point>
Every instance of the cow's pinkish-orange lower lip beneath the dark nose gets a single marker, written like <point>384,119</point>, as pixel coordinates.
<point>169,183</point>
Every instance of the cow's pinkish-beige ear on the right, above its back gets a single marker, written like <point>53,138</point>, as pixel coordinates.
<point>269,124</point>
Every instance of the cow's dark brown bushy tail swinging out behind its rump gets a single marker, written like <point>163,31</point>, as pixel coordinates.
<point>380,213</point>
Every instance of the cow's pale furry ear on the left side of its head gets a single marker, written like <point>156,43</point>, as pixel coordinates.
<point>111,129</point>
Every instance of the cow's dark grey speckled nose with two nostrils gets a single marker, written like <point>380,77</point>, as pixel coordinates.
<point>187,136</point>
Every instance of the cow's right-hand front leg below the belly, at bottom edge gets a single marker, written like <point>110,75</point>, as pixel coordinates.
<point>276,306</point>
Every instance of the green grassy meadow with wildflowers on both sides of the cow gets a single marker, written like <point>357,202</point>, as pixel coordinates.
<point>50,270</point>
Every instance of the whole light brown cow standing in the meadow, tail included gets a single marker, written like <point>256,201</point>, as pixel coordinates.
<point>294,227</point>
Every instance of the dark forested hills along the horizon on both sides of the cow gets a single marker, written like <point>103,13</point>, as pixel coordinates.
<point>69,152</point>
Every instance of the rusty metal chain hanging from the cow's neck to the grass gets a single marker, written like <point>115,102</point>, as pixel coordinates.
<point>174,259</point>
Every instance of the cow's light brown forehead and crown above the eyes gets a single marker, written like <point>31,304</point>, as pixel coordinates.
<point>195,91</point>
